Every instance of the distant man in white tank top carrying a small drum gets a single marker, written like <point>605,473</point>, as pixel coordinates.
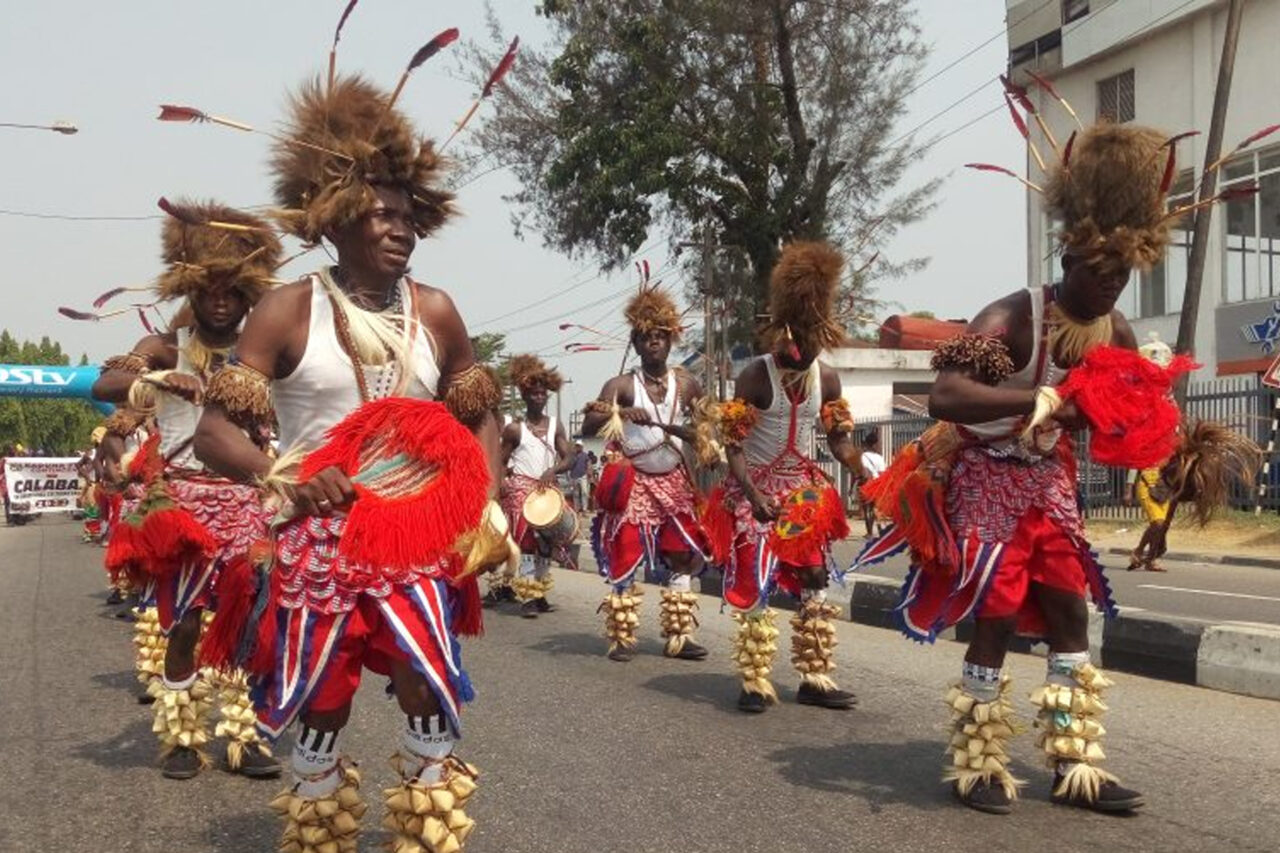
<point>536,451</point>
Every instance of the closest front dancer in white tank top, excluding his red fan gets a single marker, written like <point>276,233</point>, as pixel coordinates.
<point>354,171</point>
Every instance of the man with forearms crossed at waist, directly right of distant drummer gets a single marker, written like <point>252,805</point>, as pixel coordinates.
<point>657,523</point>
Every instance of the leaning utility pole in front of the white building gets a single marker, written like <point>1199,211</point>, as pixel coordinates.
<point>1209,188</point>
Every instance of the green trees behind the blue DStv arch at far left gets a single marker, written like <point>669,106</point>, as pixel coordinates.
<point>60,427</point>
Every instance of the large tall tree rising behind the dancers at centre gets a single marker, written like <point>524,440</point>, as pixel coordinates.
<point>753,122</point>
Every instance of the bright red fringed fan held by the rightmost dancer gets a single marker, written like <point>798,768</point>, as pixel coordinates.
<point>1128,404</point>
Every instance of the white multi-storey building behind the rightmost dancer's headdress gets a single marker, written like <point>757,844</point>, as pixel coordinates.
<point>1155,62</point>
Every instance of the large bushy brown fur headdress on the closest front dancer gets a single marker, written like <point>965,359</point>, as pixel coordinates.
<point>344,140</point>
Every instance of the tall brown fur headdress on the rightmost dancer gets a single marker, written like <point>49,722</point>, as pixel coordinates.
<point>1112,195</point>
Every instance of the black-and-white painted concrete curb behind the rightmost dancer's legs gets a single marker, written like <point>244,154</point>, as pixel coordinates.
<point>1236,658</point>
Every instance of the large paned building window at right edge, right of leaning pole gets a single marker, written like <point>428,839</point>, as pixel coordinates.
<point>1254,229</point>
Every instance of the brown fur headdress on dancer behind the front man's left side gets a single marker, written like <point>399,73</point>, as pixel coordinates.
<point>207,243</point>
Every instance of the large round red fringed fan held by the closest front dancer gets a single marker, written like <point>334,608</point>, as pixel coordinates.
<point>422,481</point>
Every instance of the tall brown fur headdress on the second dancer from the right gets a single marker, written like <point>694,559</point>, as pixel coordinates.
<point>802,299</point>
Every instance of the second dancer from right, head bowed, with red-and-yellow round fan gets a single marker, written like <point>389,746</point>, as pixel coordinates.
<point>778,517</point>
